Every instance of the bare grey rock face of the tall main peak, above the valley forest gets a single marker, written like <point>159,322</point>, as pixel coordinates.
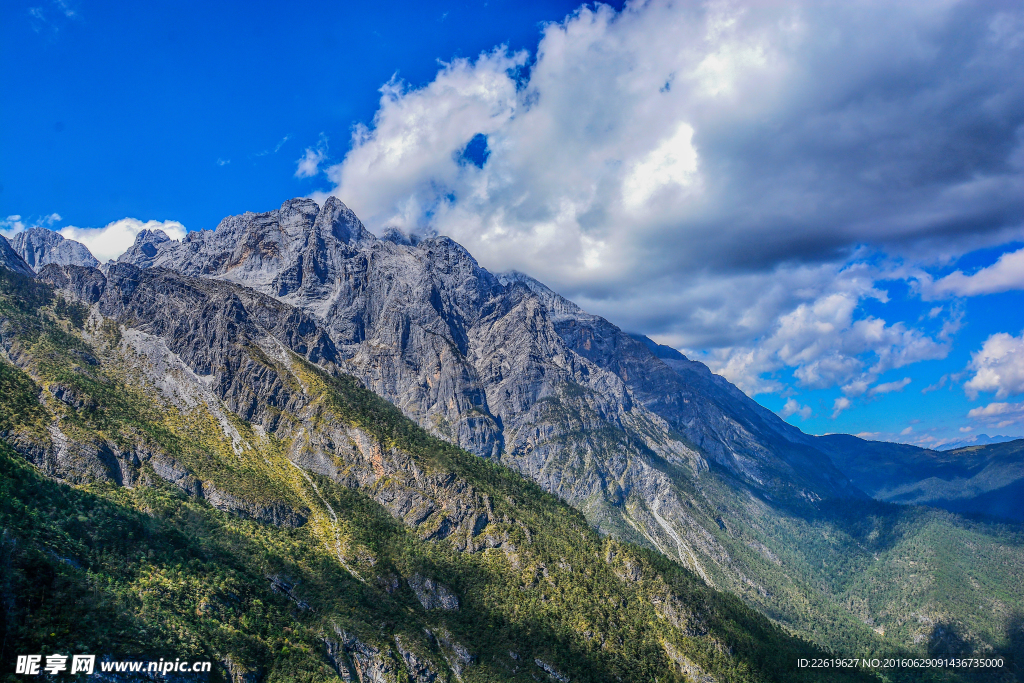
<point>507,369</point>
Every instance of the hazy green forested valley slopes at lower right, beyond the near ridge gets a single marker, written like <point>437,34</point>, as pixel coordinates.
<point>862,578</point>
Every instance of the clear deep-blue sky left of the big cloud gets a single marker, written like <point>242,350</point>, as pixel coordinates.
<point>115,109</point>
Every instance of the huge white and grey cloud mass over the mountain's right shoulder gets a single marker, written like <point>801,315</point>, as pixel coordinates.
<point>719,176</point>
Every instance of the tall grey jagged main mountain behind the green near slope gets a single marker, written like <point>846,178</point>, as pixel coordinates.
<point>653,448</point>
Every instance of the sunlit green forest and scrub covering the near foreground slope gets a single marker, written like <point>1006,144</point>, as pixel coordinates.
<point>149,572</point>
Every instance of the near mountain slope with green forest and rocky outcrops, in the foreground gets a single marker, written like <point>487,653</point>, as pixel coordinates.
<point>207,484</point>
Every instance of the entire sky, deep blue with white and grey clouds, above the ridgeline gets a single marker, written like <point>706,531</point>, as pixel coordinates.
<point>826,204</point>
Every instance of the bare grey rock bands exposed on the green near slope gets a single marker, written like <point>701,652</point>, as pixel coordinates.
<point>229,346</point>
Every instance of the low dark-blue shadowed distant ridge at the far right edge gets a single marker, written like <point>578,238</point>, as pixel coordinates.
<point>987,480</point>
